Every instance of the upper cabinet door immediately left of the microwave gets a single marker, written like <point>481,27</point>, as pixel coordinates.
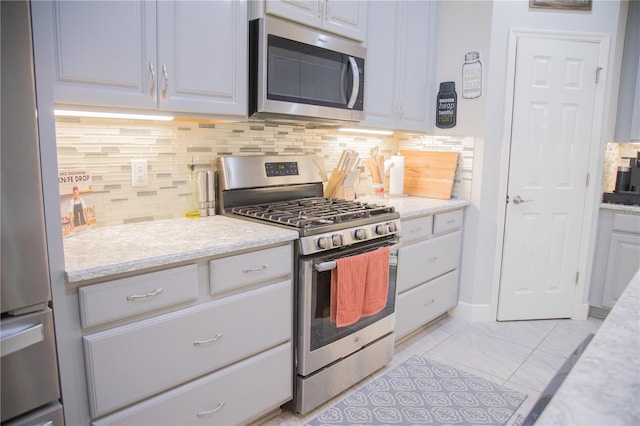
<point>202,56</point>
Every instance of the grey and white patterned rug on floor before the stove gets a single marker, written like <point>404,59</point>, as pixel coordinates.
<point>421,391</point>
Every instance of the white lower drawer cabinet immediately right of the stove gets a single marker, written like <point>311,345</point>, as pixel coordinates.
<point>428,264</point>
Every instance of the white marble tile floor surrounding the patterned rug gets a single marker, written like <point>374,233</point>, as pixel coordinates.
<point>521,355</point>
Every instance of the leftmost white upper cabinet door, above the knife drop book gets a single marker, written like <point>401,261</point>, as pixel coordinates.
<point>101,50</point>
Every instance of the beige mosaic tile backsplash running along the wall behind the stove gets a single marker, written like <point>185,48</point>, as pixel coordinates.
<point>105,148</point>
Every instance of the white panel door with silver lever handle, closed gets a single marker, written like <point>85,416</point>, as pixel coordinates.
<point>553,107</point>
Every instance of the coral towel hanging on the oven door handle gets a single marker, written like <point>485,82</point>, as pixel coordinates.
<point>359,286</point>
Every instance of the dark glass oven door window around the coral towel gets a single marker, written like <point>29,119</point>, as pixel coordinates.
<point>323,330</point>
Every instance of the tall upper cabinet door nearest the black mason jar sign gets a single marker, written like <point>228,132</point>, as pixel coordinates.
<point>415,56</point>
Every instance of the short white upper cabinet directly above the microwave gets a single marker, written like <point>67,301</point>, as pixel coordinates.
<point>345,17</point>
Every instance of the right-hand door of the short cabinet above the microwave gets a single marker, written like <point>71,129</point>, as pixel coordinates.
<point>347,18</point>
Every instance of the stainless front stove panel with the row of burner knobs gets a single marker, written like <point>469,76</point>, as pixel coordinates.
<point>346,237</point>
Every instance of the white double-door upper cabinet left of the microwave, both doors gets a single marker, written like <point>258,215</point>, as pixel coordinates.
<point>181,56</point>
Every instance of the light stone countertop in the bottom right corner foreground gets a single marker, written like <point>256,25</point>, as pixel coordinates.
<point>603,388</point>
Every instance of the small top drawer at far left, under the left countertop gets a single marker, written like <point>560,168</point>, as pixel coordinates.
<point>113,300</point>
